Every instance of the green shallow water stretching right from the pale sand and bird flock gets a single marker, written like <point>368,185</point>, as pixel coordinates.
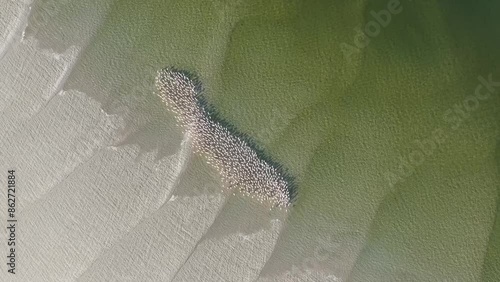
<point>277,70</point>
